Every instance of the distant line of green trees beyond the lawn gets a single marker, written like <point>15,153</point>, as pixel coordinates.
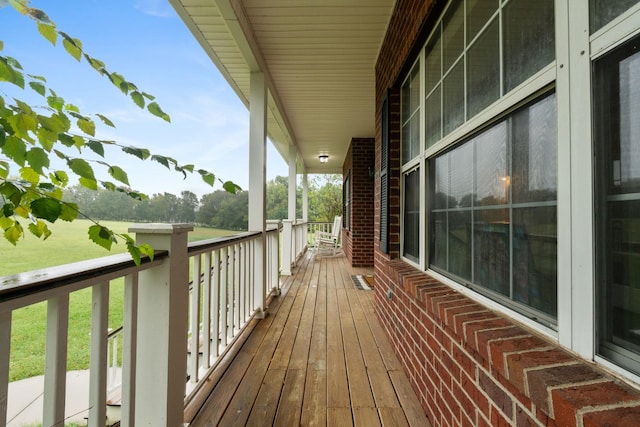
<point>219,209</point>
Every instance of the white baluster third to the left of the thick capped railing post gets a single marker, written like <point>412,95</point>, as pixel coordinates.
<point>55,371</point>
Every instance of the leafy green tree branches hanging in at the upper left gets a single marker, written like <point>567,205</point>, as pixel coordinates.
<point>30,136</point>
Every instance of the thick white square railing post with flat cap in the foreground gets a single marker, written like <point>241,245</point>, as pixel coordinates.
<point>163,298</point>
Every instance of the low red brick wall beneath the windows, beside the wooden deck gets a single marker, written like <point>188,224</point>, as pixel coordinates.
<point>474,367</point>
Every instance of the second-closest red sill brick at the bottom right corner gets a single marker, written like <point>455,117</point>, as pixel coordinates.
<point>567,401</point>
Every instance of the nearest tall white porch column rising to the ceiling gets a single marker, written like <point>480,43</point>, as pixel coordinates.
<point>257,182</point>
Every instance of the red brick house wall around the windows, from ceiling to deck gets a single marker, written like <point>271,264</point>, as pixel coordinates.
<point>469,365</point>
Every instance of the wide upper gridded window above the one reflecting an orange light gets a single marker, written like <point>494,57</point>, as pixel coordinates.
<point>504,46</point>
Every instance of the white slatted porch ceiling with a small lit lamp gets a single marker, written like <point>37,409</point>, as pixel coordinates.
<point>318,57</point>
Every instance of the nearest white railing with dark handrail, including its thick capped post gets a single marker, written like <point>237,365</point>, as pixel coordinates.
<point>160,316</point>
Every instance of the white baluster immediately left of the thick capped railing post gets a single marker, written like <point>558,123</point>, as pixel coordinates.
<point>129,349</point>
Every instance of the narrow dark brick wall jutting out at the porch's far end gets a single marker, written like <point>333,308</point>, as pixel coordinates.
<point>357,241</point>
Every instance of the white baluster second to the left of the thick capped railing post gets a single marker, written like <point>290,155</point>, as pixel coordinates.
<point>98,359</point>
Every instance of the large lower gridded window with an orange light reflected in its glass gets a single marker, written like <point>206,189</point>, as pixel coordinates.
<point>493,217</point>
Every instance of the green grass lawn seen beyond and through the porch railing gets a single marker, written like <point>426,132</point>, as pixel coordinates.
<point>68,243</point>
